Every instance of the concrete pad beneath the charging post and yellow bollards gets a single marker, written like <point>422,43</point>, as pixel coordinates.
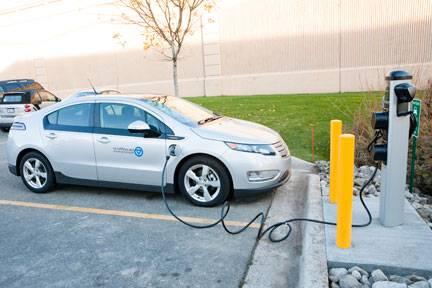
<point>398,250</point>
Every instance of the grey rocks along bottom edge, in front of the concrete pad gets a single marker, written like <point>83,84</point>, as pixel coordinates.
<point>348,278</point>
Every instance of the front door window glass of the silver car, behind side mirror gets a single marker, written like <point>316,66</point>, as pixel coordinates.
<point>115,118</point>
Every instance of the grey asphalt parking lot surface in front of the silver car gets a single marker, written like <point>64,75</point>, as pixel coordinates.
<point>88,237</point>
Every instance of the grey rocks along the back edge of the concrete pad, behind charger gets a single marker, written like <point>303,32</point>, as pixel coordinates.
<point>422,203</point>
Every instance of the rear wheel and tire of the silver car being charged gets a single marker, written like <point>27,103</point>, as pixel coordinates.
<point>37,173</point>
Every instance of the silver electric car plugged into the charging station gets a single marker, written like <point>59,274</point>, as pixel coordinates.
<point>125,141</point>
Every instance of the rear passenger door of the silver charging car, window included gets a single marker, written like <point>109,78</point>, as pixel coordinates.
<point>68,139</point>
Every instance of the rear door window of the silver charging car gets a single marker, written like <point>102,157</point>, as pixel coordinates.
<point>72,118</point>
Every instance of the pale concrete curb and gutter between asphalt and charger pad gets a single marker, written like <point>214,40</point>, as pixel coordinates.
<point>299,261</point>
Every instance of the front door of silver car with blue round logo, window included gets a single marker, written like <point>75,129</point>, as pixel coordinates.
<point>125,157</point>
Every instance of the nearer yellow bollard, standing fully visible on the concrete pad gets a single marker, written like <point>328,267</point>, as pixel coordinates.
<point>344,205</point>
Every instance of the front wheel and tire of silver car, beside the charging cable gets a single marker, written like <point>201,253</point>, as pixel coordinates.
<point>204,181</point>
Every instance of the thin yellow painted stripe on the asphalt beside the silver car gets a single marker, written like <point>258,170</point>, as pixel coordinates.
<point>120,213</point>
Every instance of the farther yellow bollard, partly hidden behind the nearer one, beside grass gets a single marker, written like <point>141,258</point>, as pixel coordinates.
<point>335,132</point>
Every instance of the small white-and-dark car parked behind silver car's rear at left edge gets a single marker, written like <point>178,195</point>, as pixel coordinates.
<point>14,104</point>
